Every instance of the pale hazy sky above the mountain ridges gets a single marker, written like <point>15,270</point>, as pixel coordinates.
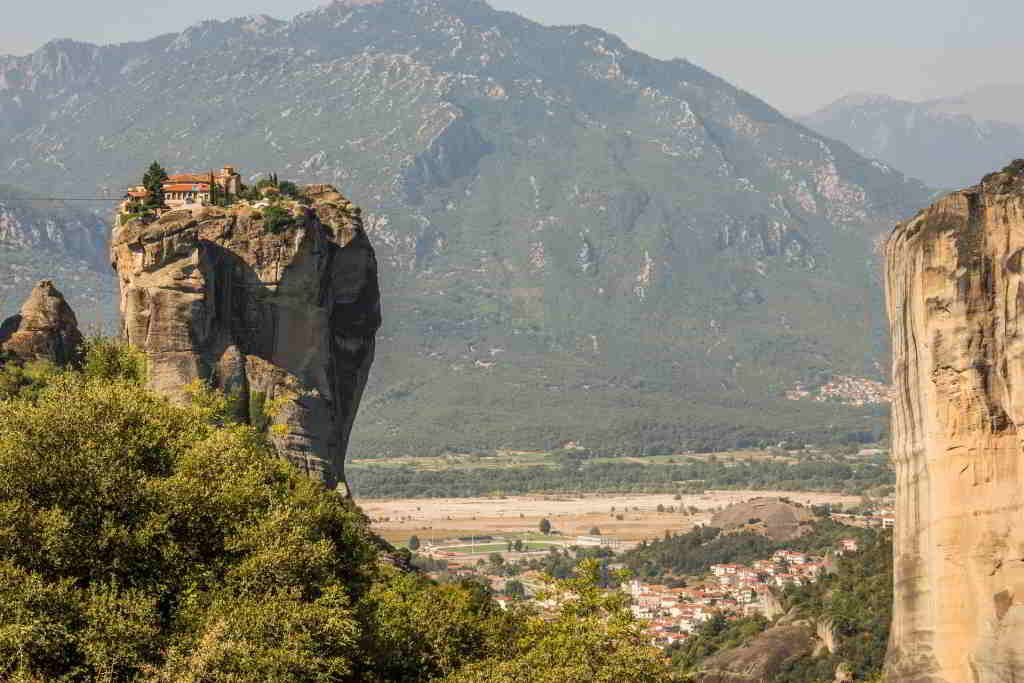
<point>797,55</point>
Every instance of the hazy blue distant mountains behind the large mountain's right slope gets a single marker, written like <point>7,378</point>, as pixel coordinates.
<point>950,143</point>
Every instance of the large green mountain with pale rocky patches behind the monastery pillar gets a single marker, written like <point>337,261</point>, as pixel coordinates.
<point>578,242</point>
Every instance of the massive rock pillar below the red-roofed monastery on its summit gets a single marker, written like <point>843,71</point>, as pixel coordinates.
<point>281,315</point>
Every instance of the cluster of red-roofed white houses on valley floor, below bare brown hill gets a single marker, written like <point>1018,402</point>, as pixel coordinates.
<point>732,590</point>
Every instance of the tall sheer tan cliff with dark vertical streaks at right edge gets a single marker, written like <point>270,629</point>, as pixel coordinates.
<point>956,297</point>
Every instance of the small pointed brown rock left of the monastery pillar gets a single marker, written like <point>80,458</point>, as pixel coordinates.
<point>46,330</point>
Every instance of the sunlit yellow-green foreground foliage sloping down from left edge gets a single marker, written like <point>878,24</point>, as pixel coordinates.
<point>146,541</point>
